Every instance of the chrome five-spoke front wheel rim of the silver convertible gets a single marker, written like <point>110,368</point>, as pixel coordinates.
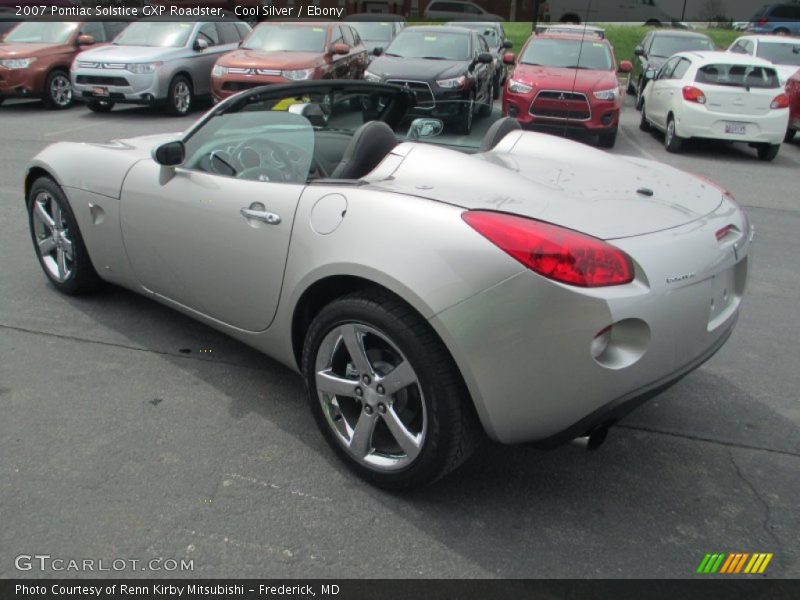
<point>53,238</point>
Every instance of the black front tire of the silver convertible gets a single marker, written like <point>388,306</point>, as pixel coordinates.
<point>82,276</point>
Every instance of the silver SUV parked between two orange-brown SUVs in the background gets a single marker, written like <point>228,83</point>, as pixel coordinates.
<point>155,62</point>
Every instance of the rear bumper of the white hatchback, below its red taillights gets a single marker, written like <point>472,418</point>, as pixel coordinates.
<point>698,121</point>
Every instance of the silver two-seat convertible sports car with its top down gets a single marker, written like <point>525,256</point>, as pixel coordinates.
<point>431,288</point>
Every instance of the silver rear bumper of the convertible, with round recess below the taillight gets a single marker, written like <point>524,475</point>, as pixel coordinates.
<point>524,346</point>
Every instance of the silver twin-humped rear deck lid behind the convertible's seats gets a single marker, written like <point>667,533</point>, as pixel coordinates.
<point>555,180</point>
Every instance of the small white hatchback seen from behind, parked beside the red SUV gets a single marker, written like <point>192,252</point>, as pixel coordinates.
<point>717,95</point>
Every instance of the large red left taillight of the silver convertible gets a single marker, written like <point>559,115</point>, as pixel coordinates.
<point>557,253</point>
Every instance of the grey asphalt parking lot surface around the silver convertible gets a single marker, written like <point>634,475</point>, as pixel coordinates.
<point>130,431</point>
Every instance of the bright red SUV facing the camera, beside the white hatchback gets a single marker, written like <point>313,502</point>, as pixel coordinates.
<point>566,81</point>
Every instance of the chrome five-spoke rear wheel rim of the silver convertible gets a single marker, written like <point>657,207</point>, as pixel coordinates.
<point>371,397</point>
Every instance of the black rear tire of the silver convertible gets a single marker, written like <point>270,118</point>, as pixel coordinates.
<point>453,430</point>
